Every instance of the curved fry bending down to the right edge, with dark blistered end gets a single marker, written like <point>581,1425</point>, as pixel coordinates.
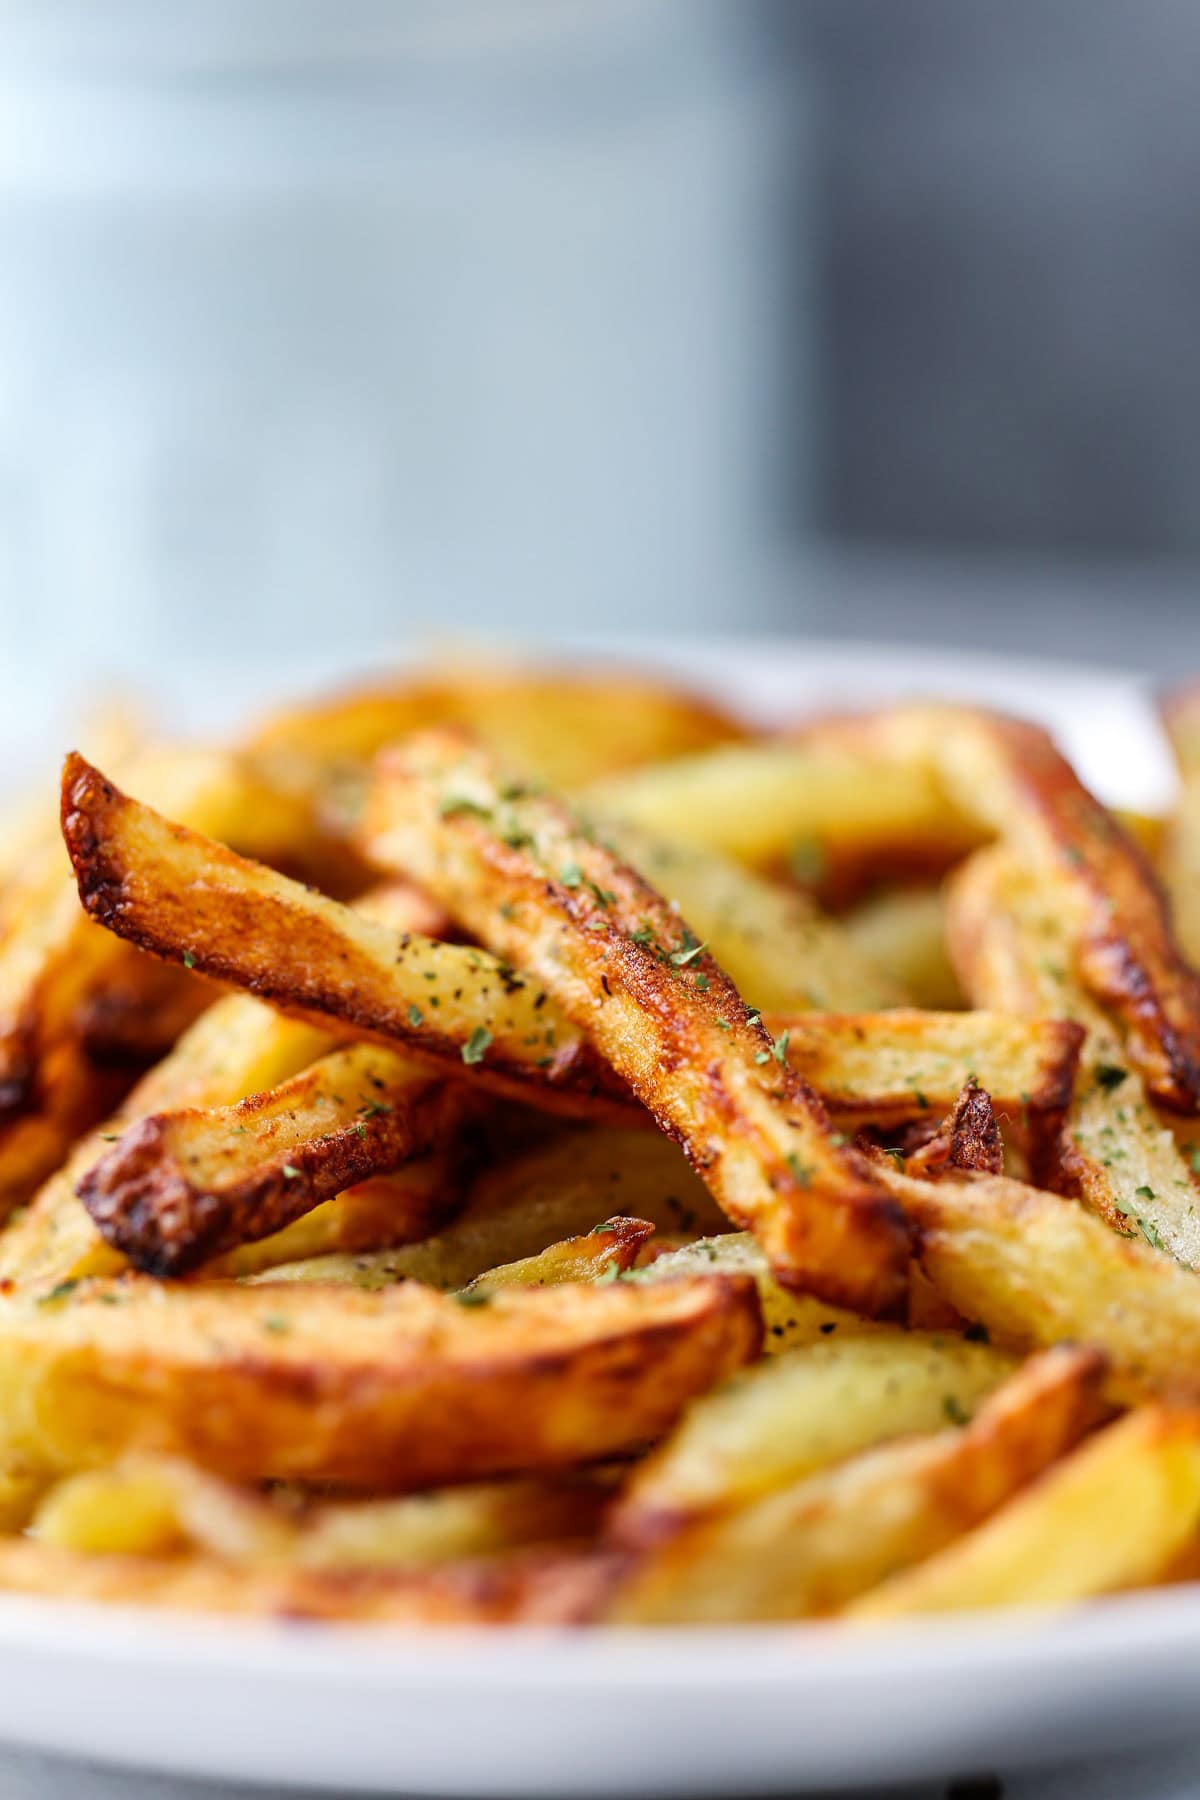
<point>1093,876</point>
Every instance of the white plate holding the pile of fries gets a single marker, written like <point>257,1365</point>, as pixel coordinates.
<point>753,1711</point>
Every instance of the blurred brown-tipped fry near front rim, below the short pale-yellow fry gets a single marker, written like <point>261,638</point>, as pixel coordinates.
<point>812,1547</point>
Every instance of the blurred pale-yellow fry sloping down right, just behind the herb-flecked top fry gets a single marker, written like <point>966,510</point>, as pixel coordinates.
<point>773,942</point>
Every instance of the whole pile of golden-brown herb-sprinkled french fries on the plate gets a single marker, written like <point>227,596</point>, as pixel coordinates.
<point>528,1147</point>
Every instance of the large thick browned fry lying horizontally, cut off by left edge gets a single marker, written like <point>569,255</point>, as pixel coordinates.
<point>393,1390</point>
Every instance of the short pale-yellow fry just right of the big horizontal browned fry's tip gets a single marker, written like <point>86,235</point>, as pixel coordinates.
<point>801,1412</point>
